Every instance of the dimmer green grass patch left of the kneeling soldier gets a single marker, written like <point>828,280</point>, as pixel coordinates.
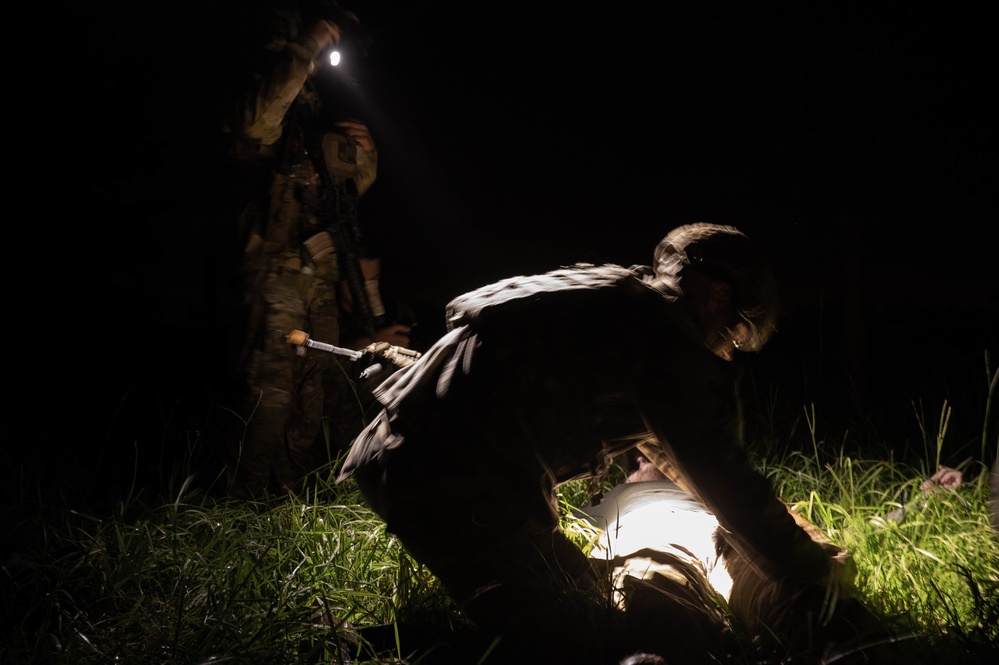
<point>200,579</point>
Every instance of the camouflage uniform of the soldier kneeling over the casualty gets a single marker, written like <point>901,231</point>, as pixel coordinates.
<point>538,381</point>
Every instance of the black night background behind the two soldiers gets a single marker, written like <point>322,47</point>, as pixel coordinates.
<point>855,141</point>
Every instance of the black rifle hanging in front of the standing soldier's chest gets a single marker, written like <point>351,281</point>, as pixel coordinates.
<point>338,208</point>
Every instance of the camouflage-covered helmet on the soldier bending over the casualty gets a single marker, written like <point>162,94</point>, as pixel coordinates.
<point>727,254</point>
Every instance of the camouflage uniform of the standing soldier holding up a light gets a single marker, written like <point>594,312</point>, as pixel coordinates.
<point>281,287</point>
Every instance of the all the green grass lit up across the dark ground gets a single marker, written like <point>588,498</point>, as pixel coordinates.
<point>178,576</point>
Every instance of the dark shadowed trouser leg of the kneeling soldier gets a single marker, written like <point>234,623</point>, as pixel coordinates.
<point>492,539</point>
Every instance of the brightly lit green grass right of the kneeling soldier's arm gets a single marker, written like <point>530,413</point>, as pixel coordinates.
<point>929,558</point>
